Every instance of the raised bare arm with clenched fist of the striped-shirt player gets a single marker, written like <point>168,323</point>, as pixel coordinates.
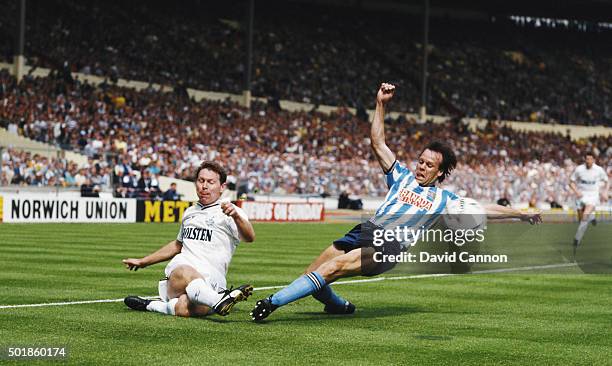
<point>385,156</point>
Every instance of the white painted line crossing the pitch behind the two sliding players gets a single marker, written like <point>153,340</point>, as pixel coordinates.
<point>350,282</point>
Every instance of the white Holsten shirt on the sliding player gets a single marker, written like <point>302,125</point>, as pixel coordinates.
<point>209,236</point>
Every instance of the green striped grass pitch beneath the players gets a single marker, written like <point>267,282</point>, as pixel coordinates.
<point>555,317</point>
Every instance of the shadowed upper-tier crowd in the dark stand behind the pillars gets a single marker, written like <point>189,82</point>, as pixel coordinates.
<point>325,55</point>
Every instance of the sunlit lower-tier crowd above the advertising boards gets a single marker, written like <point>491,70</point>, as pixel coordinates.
<point>270,150</point>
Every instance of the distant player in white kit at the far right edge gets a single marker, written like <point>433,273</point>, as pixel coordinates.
<point>586,185</point>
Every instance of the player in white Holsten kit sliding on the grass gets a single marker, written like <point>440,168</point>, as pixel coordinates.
<point>195,277</point>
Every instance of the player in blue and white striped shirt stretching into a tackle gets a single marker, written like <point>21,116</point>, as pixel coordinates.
<point>413,201</point>
